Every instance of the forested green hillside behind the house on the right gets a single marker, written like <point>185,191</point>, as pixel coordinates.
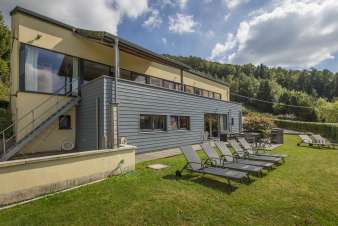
<point>317,90</point>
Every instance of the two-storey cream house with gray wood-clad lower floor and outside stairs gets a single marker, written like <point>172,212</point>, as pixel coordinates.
<point>65,95</point>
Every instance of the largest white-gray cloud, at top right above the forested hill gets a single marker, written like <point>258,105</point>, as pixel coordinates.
<point>292,34</point>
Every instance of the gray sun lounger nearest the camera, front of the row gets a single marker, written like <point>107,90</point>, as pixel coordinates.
<point>195,164</point>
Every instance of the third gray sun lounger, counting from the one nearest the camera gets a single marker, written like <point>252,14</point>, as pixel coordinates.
<point>222,147</point>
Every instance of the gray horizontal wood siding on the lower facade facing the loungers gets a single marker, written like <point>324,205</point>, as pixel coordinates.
<point>135,99</point>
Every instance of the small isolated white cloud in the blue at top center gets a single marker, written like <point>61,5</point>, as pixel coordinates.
<point>182,23</point>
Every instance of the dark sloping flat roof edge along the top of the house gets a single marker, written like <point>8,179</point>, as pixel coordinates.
<point>124,44</point>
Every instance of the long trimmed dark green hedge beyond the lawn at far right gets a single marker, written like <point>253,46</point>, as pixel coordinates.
<point>328,130</point>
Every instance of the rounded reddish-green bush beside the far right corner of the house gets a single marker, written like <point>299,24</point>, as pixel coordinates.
<point>255,122</point>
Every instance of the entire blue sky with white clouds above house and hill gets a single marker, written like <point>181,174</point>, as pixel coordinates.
<point>296,34</point>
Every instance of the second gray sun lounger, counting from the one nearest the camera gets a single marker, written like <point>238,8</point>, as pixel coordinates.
<point>222,162</point>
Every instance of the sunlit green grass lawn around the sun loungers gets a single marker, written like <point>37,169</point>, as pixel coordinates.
<point>303,191</point>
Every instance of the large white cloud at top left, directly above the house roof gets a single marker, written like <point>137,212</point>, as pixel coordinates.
<point>96,15</point>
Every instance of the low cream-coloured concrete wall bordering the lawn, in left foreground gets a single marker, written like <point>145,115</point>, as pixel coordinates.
<point>25,179</point>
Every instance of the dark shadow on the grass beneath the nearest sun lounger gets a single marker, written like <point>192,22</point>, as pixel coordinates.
<point>222,186</point>
